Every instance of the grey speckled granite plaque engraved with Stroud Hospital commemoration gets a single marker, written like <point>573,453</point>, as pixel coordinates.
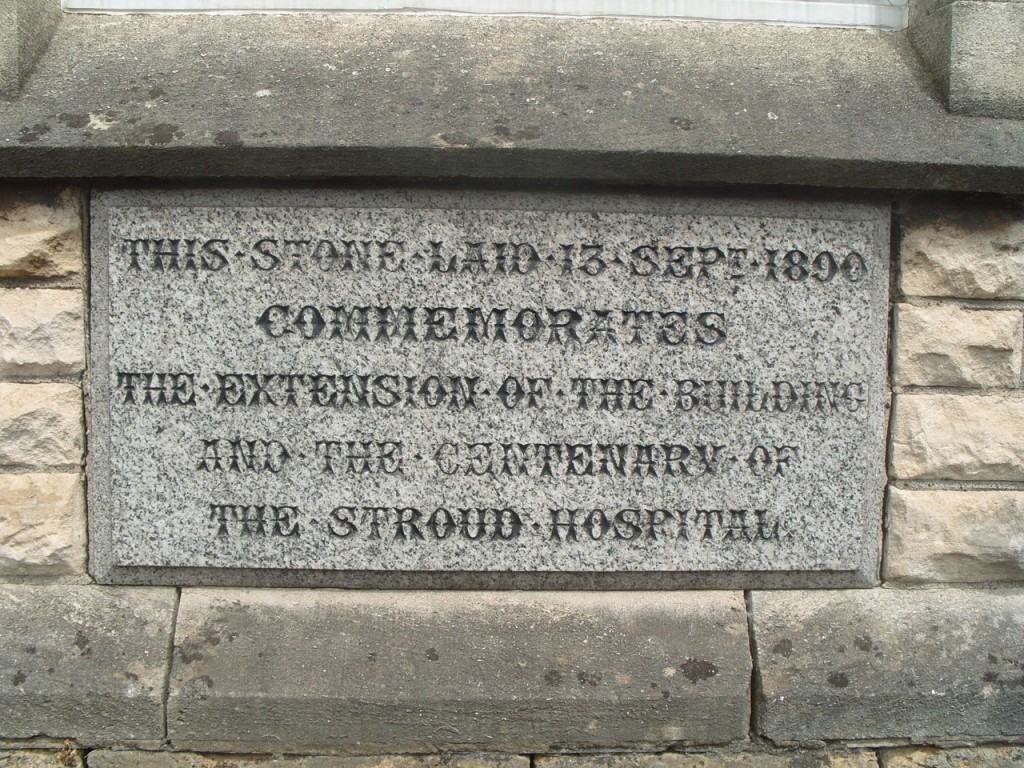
<point>467,390</point>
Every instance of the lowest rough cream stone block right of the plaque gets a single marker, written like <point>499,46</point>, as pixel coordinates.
<point>950,536</point>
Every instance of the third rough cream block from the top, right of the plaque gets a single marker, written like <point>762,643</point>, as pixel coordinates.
<point>958,438</point>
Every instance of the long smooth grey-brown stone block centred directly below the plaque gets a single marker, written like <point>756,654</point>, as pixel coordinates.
<point>378,672</point>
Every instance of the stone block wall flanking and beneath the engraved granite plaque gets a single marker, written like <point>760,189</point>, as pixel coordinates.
<point>927,669</point>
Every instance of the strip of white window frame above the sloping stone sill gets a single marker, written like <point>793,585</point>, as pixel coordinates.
<point>889,15</point>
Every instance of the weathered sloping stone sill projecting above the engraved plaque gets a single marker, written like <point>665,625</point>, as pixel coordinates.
<point>389,97</point>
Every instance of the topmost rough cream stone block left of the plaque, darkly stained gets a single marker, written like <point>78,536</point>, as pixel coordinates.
<point>40,235</point>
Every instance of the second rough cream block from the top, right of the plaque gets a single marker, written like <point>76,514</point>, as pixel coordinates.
<point>952,348</point>
